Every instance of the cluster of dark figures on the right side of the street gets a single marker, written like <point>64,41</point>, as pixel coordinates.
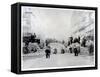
<point>80,43</point>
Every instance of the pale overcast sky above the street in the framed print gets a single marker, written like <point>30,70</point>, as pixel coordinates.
<point>50,22</point>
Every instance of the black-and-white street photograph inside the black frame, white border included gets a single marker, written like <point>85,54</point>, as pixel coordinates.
<point>53,38</point>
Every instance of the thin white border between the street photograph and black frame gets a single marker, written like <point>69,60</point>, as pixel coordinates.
<point>22,69</point>
